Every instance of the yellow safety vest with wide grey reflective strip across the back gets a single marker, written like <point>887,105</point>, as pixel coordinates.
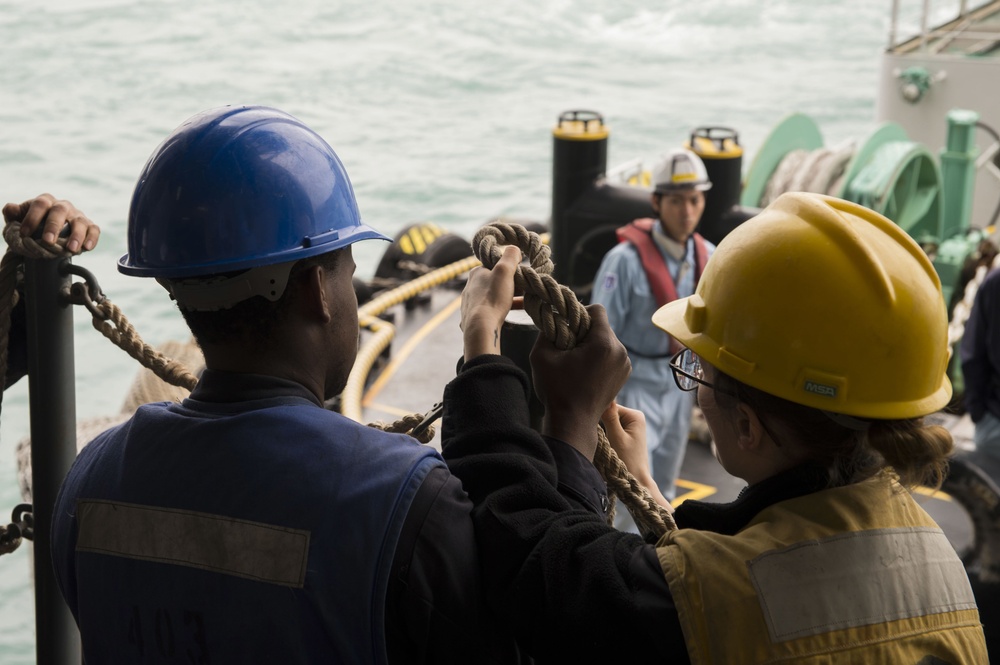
<point>855,574</point>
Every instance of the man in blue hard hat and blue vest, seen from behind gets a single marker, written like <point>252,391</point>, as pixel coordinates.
<point>249,524</point>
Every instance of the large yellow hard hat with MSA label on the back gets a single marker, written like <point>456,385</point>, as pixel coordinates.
<point>824,303</point>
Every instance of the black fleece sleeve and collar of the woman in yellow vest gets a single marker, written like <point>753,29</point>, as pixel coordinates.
<point>573,588</point>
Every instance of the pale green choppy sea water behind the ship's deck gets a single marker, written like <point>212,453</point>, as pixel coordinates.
<point>441,110</point>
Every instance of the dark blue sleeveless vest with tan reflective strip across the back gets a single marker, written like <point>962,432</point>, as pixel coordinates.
<point>257,532</point>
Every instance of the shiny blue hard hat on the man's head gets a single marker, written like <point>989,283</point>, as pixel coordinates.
<point>235,188</point>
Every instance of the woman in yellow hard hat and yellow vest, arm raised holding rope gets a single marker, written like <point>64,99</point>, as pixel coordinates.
<point>816,341</point>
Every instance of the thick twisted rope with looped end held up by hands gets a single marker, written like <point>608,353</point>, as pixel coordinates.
<point>564,321</point>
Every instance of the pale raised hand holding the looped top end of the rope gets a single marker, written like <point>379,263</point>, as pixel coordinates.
<point>486,301</point>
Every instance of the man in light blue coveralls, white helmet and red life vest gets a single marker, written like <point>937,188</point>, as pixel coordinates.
<point>658,261</point>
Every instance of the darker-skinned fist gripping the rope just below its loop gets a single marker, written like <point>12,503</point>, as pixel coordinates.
<point>577,385</point>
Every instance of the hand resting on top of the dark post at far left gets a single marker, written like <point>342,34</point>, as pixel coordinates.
<point>52,215</point>
